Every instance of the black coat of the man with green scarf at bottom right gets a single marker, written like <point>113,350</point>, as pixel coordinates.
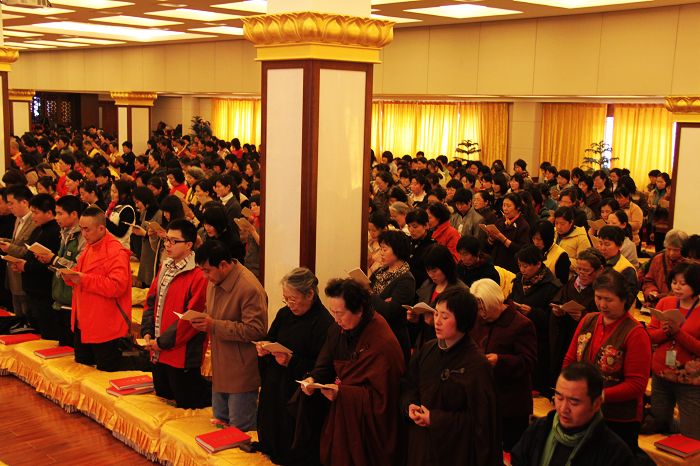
<point>603,447</point>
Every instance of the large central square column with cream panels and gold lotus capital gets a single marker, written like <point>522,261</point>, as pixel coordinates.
<point>316,129</point>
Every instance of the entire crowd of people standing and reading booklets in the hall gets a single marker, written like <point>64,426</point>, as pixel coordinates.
<point>485,289</point>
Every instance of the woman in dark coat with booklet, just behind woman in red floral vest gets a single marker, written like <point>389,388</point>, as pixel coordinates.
<point>579,288</point>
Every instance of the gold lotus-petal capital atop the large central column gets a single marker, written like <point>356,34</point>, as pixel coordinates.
<point>323,36</point>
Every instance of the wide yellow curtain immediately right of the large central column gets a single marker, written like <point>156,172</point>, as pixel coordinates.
<point>436,128</point>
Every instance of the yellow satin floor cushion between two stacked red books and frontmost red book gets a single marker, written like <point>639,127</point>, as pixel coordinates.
<point>139,419</point>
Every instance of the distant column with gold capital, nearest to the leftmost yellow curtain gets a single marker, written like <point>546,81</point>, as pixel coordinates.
<point>134,117</point>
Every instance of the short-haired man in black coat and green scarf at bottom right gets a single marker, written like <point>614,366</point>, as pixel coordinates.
<point>574,433</point>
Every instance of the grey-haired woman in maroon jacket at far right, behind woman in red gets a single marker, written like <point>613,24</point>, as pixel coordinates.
<point>656,281</point>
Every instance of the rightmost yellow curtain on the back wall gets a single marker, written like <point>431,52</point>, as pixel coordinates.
<point>642,139</point>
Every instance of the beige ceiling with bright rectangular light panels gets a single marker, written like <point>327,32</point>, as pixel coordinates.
<point>81,23</point>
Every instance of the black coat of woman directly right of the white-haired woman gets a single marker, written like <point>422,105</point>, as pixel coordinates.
<point>538,297</point>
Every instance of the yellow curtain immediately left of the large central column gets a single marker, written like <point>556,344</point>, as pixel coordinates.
<point>236,118</point>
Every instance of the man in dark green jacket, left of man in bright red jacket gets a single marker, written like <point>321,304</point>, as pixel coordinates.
<point>68,209</point>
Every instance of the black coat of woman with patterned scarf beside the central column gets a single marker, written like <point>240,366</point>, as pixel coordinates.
<point>401,290</point>
